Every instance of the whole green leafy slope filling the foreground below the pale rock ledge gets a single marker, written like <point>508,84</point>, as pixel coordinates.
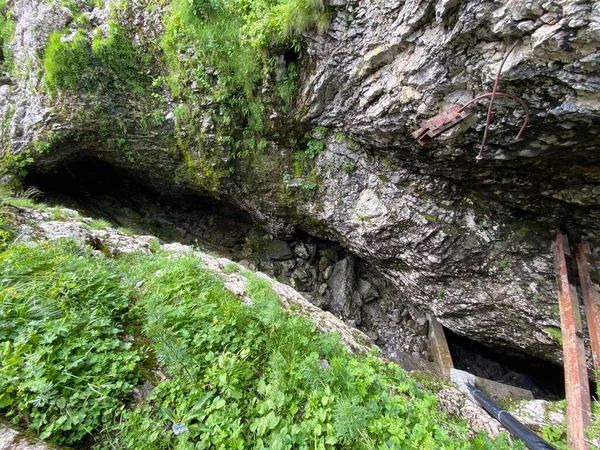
<point>79,330</point>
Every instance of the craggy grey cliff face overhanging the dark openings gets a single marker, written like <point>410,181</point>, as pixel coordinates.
<point>467,241</point>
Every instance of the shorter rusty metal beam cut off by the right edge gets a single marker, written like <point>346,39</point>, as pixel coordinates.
<point>591,298</point>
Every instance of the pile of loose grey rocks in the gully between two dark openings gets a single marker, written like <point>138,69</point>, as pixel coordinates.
<point>340,283</point>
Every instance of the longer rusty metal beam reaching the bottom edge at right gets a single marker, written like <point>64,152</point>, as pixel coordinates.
<point>576,380</point>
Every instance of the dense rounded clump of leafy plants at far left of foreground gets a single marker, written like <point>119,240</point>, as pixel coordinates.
<point>64,368</point>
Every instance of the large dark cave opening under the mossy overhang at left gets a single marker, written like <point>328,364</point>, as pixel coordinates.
<point>99,189</point>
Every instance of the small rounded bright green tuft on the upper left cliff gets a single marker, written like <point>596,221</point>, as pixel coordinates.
<point>65,62</point>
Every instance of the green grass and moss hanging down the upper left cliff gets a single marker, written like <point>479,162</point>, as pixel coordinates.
<point>219,65</point>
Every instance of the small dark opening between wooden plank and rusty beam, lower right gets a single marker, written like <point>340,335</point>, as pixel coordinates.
<point>544,379</point>
